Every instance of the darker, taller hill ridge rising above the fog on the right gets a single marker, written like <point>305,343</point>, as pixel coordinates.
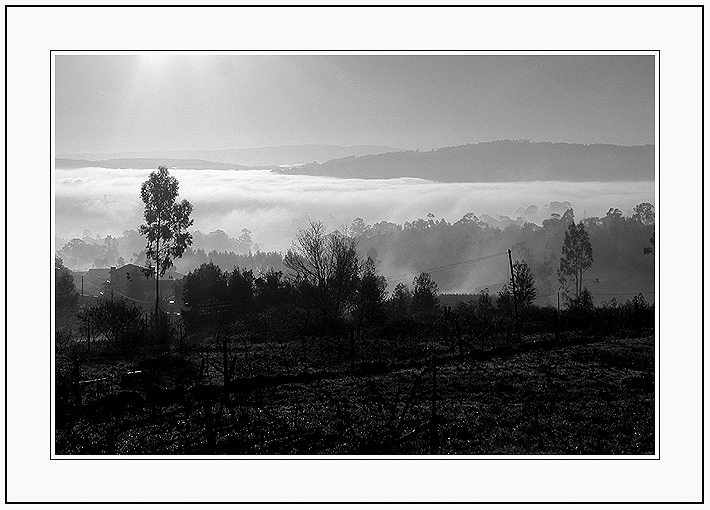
<point>500,161</point>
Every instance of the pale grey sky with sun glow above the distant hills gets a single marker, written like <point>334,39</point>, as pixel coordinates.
<point>155,102</point>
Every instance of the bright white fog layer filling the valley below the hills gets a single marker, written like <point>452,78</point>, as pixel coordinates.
<point>274,206</point>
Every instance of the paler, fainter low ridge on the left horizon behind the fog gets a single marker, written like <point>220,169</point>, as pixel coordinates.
<point>251,157</point>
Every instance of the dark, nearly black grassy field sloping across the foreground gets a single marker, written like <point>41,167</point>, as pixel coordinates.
<point>588,397</point>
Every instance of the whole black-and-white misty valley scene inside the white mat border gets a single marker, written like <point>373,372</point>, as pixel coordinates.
<point>443,254</point>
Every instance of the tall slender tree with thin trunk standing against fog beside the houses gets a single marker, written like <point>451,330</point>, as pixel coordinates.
<point>166,224</point>
